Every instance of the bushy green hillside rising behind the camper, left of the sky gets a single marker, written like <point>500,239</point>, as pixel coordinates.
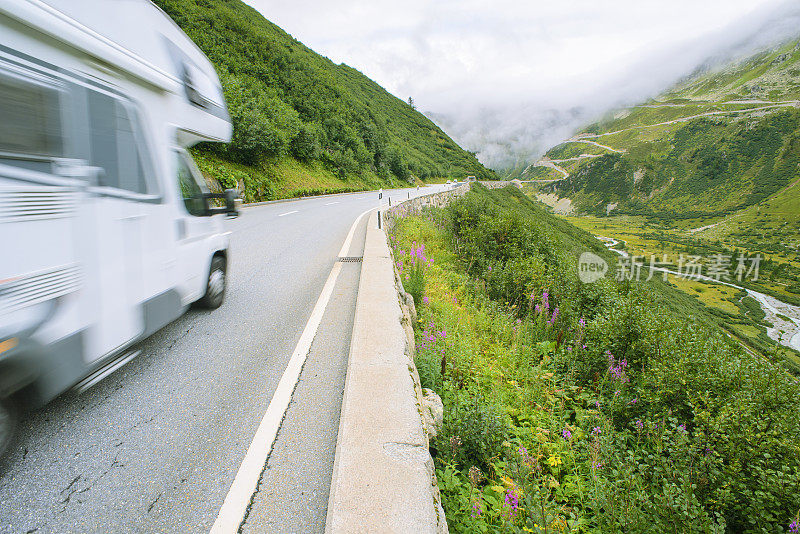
<point>303,124</point>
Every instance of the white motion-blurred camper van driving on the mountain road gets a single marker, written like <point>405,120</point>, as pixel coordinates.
<point>108,230</point>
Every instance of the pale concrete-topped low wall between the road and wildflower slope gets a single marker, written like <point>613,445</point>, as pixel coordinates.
<point>383,476</point>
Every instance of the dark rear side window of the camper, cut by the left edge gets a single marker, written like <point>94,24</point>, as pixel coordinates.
<point>31,119</point>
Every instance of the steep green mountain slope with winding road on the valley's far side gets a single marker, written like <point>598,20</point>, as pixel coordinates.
<point>715,144</point>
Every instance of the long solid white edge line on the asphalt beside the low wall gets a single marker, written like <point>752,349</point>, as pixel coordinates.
<point>245,484</point>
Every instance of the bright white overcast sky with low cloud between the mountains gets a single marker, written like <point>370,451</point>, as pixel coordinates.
<point>498,73</point>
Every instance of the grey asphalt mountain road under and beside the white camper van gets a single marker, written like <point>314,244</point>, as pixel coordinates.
<point>156,446</point>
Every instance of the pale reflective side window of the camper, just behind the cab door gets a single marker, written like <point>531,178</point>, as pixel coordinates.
<point>113,144</point>
